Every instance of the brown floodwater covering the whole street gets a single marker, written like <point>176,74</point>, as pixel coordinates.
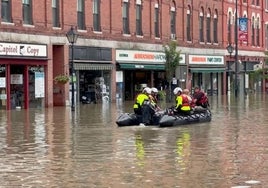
<point>58,148</point>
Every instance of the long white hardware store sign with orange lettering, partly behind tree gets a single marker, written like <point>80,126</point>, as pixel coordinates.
<point>143,56</point>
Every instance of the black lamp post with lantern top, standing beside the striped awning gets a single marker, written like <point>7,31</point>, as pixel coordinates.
<point>72,38</point>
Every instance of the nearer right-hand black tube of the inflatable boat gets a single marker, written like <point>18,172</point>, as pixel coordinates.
<point>198,116</point>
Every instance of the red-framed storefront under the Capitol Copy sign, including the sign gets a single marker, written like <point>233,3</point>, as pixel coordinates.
<point>22,75</point>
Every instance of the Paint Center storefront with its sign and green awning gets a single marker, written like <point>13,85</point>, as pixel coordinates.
<point>207,73</point>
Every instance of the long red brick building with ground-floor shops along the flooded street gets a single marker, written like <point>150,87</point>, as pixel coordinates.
<point>120,46</point>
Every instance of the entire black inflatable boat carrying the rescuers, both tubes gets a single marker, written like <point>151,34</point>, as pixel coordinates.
<point>166,118</point>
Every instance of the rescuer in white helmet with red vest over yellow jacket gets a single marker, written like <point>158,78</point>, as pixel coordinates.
<point>183,105</point>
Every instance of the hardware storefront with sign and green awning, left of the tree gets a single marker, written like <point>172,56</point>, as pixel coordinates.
<point>136,69</point>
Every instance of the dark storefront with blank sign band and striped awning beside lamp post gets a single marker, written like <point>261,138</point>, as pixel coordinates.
<point>93,68</point>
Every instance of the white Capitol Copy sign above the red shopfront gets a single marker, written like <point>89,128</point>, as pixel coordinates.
<point>17,49</point>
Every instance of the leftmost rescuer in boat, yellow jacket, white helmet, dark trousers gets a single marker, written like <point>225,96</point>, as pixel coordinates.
<point>144,107</point>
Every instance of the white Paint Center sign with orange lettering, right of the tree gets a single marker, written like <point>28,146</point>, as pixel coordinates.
<point>206,60</point>
